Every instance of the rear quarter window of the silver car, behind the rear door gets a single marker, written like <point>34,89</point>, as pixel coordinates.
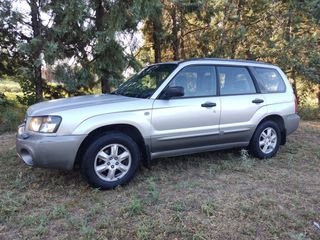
<point>270,81</point>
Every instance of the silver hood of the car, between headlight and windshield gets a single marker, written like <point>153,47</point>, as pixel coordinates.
<point>65,104</point>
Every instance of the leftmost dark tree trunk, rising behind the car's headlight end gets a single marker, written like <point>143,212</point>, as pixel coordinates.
<point>36,28</point>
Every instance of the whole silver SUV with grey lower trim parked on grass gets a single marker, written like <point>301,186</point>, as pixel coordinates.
<point>167,109</point>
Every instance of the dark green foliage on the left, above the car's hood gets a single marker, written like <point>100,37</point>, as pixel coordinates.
<point>77,40</point>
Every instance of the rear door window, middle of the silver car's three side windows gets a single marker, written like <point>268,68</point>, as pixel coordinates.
<point>235,80</point>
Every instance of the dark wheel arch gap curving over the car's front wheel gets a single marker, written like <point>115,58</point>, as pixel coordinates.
<point>127,129</point>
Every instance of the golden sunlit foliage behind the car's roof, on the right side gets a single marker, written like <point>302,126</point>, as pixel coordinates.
<point>285,33</point>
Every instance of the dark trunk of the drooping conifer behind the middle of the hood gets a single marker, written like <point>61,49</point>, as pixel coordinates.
<point>104,78</point>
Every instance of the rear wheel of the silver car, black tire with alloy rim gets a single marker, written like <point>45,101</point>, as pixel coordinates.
<point>266,140</point>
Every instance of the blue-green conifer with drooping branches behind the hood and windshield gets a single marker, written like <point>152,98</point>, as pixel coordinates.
<point>88,31</point>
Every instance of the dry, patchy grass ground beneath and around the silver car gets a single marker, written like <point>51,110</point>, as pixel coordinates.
<point>220,195</point>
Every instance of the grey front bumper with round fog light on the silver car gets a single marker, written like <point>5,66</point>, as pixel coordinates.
<point>48,151</point>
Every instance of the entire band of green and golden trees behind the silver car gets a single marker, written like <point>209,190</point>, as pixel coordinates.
<point>83,43</point>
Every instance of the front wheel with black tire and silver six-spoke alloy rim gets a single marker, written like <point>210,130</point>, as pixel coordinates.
<point>111,160</point>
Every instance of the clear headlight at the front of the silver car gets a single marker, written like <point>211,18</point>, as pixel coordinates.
<point>45,124</point>
